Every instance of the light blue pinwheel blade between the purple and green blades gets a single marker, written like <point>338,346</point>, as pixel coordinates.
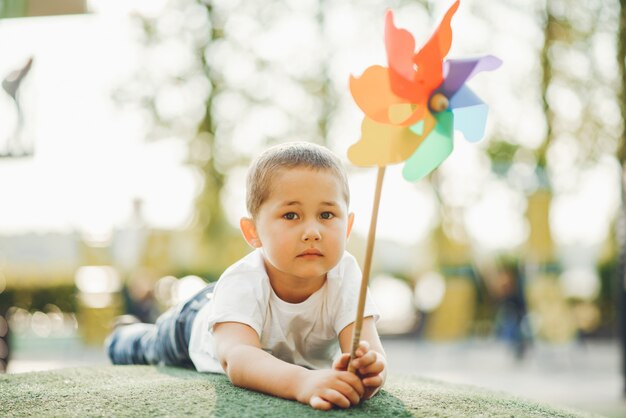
<point>470,114</point>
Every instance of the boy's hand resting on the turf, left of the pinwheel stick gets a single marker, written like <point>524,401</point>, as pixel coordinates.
<point>323,389</point>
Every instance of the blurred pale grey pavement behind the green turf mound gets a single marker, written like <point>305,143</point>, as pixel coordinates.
<point>584,376</point>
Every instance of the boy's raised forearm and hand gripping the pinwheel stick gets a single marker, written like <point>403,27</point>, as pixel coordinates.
<point>371,361</point>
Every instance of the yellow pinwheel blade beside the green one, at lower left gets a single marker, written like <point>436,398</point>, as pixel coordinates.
<point>383,144</point>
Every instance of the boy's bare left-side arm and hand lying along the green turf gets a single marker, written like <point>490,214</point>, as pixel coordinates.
<point>247,365</point>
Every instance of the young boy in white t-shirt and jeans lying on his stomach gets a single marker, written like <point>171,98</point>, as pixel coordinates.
<point>278,320</point>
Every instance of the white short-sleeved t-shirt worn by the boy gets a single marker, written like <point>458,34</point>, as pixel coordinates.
<point>306,333</point>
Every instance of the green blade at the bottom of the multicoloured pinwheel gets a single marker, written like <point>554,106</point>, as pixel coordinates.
<point>433,151</point>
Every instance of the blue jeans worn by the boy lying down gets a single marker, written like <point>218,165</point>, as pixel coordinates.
<point>165,343</point>
